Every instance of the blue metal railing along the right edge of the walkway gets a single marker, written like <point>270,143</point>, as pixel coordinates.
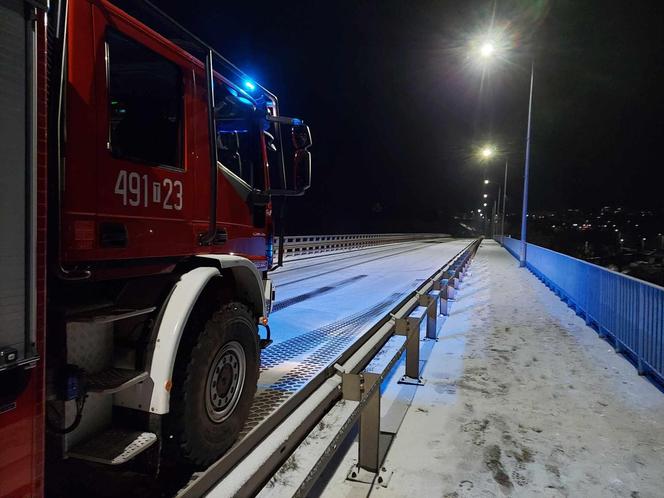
<point>627,311</point>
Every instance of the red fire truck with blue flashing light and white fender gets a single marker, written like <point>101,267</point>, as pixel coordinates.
<point>138,173</point>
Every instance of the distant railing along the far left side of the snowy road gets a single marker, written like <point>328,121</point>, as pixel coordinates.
<point>301,245</point>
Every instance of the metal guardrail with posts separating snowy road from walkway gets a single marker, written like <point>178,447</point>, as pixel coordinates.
<point>353,378</point>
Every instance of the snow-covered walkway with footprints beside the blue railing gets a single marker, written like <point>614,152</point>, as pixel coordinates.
<point>521,399</point>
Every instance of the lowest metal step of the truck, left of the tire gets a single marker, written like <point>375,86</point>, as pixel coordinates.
<point>113,446</point>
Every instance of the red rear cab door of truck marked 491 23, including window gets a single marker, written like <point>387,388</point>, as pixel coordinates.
<point>144,185</point>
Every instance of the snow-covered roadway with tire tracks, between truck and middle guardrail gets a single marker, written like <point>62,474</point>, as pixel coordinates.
<point>325,303</point>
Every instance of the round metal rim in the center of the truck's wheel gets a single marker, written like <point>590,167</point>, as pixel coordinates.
<point>225,381</point>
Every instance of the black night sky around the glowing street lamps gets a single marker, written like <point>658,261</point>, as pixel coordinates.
<point>396,110</point>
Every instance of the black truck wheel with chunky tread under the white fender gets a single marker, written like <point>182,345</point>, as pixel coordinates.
<point>214,383</point>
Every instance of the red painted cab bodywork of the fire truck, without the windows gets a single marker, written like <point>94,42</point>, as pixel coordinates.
<point>158,225</point>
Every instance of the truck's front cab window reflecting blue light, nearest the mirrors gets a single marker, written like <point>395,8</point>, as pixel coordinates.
<point>238,144</point>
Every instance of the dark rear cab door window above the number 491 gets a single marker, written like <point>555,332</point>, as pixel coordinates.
<point>145,102</point>
